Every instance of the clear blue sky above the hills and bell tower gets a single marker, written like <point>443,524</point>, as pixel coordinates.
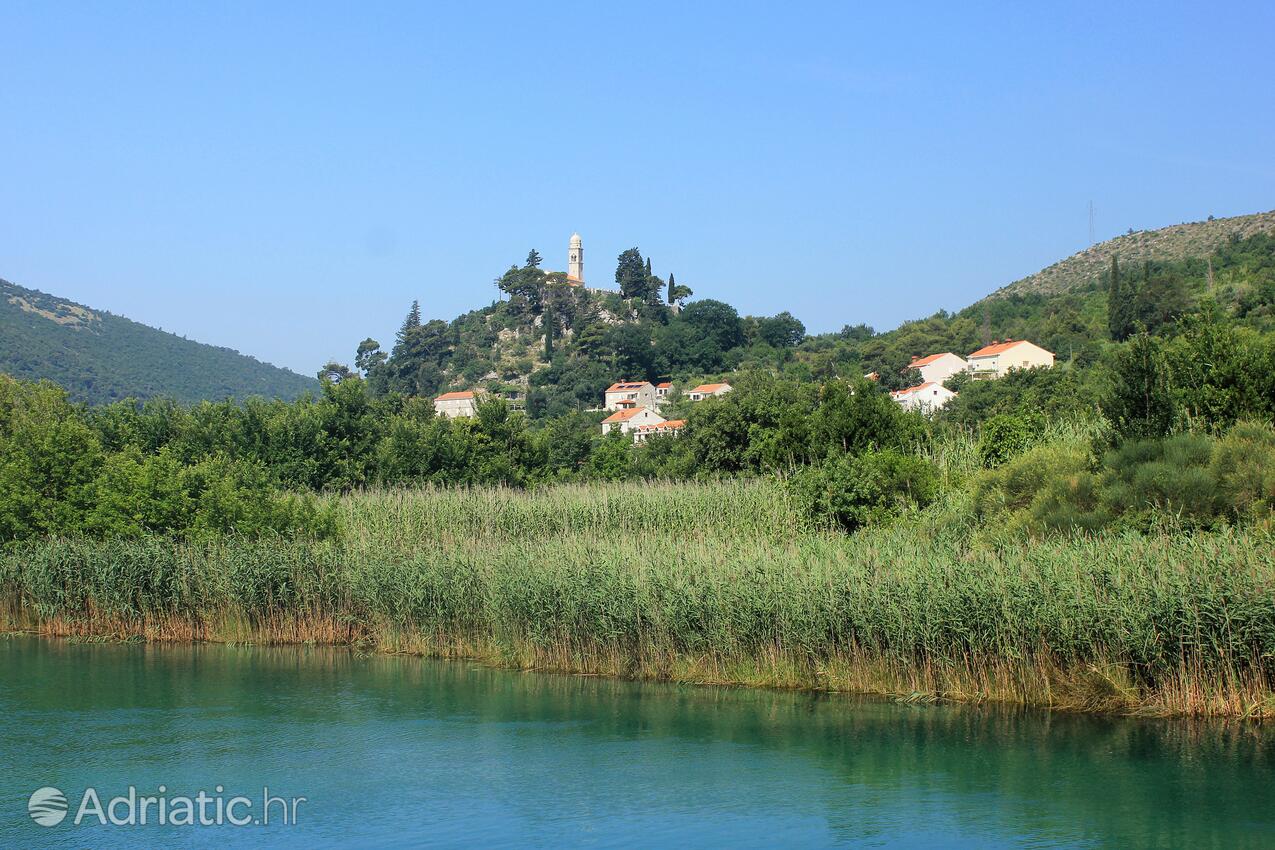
<point>285,180</point>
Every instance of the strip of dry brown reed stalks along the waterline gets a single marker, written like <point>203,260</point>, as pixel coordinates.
<point>1038,684</point>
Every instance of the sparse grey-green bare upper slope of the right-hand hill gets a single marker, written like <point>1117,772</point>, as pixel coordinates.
<point>1174,243</point>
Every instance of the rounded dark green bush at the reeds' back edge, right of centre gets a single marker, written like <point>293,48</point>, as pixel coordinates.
<point>856,491</point>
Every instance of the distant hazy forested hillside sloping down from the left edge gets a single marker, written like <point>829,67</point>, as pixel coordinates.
<point>99,357</point>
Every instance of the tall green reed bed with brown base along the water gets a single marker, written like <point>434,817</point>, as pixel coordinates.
<point>707,583</point>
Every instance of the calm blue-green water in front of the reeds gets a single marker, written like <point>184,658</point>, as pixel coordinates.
<point>398,751</point>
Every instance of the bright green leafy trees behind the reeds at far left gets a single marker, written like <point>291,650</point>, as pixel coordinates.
<point>59,476</point>
